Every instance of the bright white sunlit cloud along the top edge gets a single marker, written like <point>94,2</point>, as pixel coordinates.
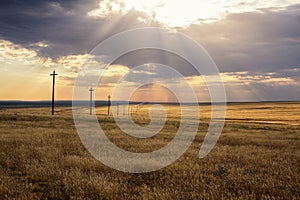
<point>167,11</point>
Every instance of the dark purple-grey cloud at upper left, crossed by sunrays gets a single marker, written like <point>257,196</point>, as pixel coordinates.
<point>64,25</point>
